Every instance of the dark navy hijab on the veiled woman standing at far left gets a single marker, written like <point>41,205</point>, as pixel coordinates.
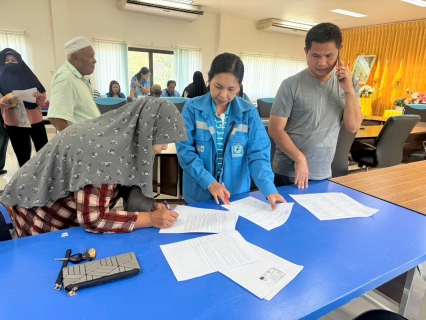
<point>22,78</point>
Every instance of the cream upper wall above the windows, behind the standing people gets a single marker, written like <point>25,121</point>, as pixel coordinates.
<point>50,23</point>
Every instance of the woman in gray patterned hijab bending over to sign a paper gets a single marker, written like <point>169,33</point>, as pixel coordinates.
<point>82,172</point>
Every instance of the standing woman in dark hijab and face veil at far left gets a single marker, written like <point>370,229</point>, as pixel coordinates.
<point>16,75</point>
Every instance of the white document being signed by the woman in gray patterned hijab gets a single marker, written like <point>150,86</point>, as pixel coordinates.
<point>201,220</point>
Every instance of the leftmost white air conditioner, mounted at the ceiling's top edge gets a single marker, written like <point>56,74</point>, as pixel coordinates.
<point>163,8</point>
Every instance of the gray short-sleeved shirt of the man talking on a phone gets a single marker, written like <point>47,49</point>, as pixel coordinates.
<point>315,113</point>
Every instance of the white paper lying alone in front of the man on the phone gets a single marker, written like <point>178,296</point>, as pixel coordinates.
<point>333,205</point>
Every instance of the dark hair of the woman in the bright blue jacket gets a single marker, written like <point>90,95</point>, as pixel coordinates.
<point>227,63</point>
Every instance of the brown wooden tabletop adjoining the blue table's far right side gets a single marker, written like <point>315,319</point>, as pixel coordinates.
<point>403,185</point>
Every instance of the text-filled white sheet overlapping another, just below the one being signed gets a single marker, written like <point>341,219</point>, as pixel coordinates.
<point>200,256</point>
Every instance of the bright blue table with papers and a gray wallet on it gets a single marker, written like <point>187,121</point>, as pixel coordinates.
<point>342,259</point>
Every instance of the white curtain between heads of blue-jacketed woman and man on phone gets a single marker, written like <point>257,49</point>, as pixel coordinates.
<point>264,74</point>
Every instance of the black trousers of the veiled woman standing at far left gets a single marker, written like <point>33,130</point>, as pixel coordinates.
<point>20,139</point>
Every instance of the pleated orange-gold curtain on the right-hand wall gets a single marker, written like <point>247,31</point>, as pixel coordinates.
<point>393,42</point>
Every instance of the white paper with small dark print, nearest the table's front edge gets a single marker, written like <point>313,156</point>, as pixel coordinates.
<point>264,278</point>
